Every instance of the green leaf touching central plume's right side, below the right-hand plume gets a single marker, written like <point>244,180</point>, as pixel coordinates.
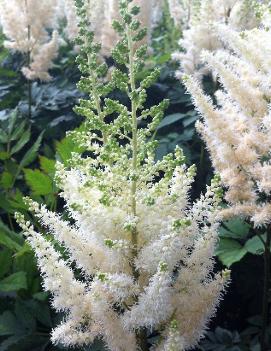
<point>230,251</point>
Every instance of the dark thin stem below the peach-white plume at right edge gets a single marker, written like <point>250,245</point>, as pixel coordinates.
<point>265,302</point>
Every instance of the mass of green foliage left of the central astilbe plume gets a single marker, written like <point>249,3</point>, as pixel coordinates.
<point>27,167</point>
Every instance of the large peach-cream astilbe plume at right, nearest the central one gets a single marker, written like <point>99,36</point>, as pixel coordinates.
<point>237,130</point>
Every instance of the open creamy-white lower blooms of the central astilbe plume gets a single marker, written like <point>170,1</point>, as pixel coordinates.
<point>175,248</point>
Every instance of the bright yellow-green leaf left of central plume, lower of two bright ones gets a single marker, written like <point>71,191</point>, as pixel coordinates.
<point>39,183</point>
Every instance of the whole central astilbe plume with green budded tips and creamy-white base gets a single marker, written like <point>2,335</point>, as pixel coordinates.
<point>143,253</point>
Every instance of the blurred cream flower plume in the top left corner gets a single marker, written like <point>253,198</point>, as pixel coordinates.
<point>26,24</point>
